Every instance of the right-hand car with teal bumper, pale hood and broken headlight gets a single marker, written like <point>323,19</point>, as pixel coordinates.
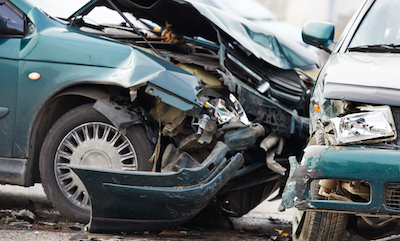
<point>349,177</point>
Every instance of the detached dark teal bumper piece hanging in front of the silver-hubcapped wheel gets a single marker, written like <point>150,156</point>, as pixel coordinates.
<point>150,201</point>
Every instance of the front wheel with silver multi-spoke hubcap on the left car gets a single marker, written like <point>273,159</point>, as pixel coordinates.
<point>84,137</point>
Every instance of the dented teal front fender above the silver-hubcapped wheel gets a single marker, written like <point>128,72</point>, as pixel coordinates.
<point>65,57</point>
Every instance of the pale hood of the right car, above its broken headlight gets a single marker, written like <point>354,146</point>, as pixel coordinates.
<point>364,77</point>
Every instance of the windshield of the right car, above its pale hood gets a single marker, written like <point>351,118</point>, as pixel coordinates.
<point>381,26</point>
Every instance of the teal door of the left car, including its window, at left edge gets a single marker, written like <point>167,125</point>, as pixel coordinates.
<point>12,29</point>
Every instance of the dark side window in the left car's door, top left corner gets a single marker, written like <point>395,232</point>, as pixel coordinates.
<point>12,22</point>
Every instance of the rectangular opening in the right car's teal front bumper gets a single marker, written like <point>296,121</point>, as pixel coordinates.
<point>358,191</point>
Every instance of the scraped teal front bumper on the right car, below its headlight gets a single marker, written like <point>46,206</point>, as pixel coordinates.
<point>379,167</point>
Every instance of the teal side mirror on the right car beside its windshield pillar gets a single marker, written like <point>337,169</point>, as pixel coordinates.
<point>319,34</point>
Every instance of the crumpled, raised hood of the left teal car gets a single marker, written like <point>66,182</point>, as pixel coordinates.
<point>196,19</point>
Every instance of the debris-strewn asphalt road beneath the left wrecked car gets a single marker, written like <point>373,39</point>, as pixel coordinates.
<point>263,223</point>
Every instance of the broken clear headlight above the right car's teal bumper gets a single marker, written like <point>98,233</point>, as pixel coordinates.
<point>373,125</point>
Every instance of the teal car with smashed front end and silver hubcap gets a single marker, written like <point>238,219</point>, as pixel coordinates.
<point>138,114</point>
